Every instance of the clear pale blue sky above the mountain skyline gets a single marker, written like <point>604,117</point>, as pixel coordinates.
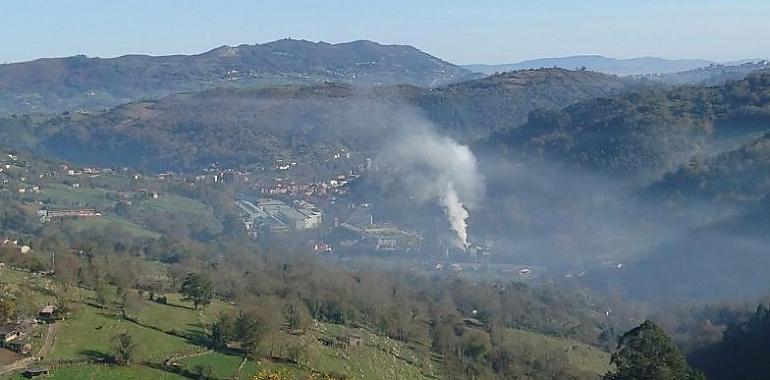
<point>473,31</point>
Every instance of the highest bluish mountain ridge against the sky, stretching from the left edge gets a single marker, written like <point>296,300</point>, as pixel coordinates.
<point>59,84</point>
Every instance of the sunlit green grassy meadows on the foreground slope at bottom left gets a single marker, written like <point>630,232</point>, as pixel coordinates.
<point>175,331</point>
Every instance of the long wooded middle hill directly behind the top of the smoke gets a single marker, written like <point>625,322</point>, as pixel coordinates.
<point>250,126</point>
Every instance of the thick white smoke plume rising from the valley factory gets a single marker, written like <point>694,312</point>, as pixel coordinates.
<point>438,169</point>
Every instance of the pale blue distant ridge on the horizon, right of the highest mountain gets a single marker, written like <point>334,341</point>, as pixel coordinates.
<point>607,65</point>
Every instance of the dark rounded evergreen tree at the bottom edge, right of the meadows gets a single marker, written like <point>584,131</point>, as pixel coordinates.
<point>647,353</point>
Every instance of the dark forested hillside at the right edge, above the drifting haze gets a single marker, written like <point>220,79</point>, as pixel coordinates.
<point>645,133</point>
